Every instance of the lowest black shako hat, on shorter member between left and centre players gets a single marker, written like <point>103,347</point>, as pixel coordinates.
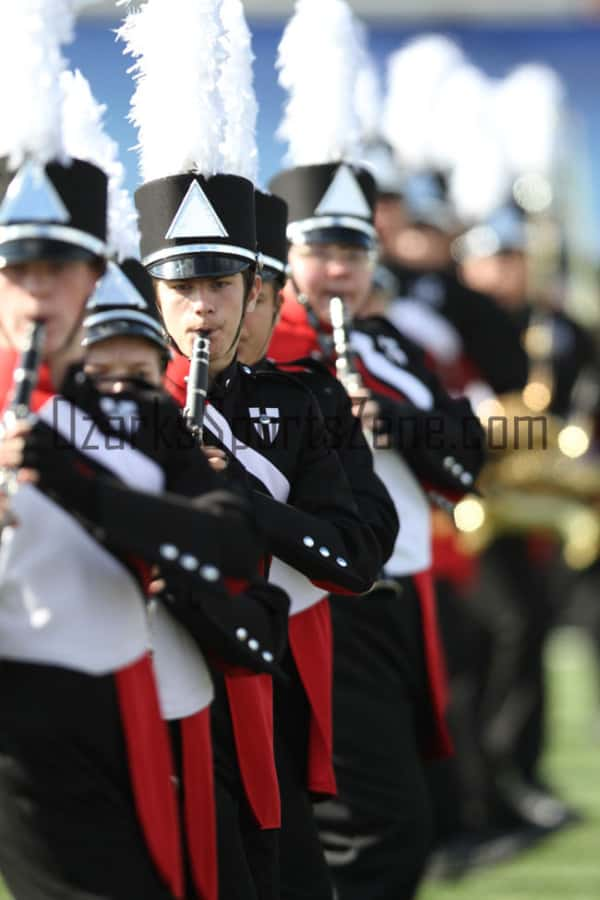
<point>124,305</point>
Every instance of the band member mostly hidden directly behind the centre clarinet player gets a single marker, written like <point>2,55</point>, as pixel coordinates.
<point>372,499</point>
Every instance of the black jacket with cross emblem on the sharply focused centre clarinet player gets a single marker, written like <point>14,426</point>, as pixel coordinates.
<point>274,431</point>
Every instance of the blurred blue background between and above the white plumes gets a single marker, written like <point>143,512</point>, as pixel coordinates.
<point>497,36</point>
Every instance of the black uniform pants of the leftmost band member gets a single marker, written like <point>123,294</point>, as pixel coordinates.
<point>68,826</point>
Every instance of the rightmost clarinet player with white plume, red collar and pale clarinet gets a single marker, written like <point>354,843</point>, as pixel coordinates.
<point>388,672</point>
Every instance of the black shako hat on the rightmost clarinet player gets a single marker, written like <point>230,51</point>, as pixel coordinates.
<point>328,202</point>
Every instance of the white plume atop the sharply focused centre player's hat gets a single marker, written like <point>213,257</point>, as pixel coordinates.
<point>176,105</point>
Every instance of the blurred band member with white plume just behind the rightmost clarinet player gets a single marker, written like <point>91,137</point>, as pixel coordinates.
<point>470,342</point>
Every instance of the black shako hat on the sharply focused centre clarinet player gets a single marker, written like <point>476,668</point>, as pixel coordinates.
<point>195,227</point>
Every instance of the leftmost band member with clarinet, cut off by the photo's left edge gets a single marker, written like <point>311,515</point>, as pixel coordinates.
<point>72,623</point>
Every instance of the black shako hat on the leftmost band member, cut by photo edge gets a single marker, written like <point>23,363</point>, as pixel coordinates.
<point>54,211</point>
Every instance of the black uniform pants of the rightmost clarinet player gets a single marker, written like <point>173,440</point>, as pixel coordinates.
<point>378,832</point>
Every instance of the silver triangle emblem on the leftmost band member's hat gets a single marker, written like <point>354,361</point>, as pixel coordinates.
<point>31,196</point>
